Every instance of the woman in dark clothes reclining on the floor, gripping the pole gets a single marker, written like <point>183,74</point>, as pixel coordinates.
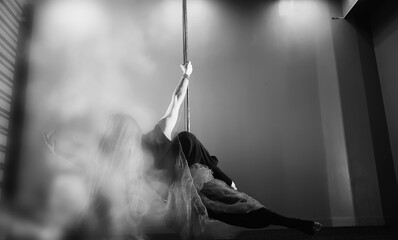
<point>196,188</point>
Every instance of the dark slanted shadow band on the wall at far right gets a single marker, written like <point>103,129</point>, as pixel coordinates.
<point>369,153</point>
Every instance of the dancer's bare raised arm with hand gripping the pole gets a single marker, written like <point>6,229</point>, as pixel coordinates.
<point>169,120</point>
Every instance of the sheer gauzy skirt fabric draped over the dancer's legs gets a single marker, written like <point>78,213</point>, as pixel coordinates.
<point>194,191</point>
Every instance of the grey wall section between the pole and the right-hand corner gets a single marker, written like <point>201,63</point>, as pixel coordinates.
<point>255,103</point>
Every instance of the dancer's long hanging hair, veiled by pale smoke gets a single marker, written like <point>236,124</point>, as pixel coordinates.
<point>119,153</point>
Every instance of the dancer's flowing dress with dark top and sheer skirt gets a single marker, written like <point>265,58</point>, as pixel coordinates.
<point>193,190</point>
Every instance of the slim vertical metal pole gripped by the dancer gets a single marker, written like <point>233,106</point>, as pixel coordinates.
<point>185,59</point>
